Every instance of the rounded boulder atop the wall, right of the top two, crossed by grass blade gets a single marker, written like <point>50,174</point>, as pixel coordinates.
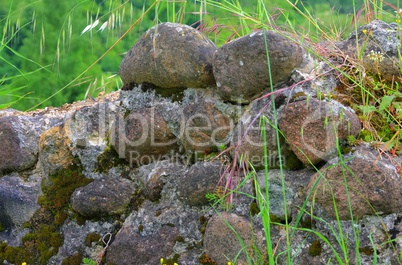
<point>240,66</point>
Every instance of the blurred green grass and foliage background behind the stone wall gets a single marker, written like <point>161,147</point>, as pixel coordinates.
<point>47,47</point>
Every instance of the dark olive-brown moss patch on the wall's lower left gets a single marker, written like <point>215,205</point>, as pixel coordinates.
<point>45,238</point>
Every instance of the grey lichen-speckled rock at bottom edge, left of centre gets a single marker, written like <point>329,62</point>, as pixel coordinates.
<point>165,230</point>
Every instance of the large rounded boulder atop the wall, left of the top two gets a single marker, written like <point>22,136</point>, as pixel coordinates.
<point>169,56</point>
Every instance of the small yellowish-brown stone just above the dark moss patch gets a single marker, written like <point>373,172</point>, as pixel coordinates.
<point>54,150</point>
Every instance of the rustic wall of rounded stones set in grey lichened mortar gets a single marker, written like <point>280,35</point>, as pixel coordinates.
<point>131,177</point>
